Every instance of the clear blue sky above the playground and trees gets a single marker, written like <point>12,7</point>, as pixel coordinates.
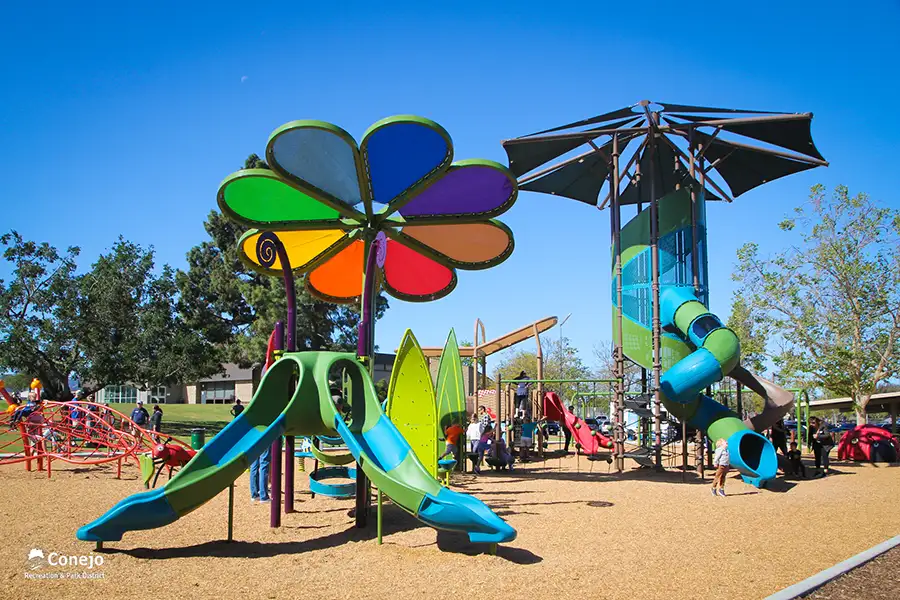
<point>120,119</point>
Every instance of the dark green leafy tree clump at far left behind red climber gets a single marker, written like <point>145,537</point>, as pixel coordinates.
<point>113,324</point>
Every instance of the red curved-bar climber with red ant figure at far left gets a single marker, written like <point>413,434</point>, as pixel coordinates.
<point>83,433</point>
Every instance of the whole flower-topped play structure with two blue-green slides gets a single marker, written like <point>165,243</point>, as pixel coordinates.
<point>435,218</point>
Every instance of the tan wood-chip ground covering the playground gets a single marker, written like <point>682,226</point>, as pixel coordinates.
<point>642,534</point>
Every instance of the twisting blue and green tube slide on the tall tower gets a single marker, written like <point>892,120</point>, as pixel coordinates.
<point>717,352</point>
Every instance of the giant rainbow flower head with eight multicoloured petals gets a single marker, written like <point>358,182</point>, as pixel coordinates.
<point>326,199</point>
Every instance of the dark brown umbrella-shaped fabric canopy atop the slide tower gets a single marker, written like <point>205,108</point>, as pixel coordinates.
<point>742,149</point>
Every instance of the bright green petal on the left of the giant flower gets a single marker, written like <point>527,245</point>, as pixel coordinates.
<point>260,198</point>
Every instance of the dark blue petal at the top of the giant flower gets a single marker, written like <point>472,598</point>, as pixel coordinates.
<point>403,152</point>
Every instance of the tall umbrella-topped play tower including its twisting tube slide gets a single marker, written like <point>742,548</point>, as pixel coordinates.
<point>659,273</point>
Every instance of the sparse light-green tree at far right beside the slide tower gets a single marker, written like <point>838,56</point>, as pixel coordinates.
<point>833,298</point>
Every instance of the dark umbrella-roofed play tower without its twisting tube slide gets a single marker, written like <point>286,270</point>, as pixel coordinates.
<point>666,160</point>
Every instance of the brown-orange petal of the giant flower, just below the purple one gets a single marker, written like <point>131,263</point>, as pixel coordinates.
<point>464,245</point>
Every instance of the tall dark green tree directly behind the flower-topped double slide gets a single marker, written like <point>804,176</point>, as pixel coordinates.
<point>235,308</point>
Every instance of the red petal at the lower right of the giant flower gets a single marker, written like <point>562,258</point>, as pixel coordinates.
<point>410,276</point>
